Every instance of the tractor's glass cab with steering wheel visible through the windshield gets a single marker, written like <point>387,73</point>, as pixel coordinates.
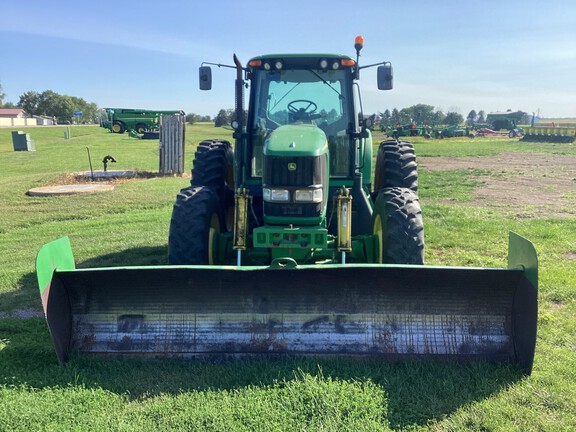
<point>311,94</point>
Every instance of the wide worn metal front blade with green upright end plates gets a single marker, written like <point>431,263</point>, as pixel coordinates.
<point>388,311</point>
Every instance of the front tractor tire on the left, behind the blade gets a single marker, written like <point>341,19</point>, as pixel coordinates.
<point>195,220</point>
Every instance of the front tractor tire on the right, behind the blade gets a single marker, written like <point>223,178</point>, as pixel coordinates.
<point>397,224</point>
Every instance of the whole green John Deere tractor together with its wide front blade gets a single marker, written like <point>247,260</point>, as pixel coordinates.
<point>286,244</point>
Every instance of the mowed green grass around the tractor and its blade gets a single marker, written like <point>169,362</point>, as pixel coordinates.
<point>129,226</point>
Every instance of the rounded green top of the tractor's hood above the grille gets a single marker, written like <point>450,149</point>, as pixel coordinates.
<point>300,139</point>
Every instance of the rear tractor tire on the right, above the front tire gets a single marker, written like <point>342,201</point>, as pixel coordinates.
<point>396,166</point>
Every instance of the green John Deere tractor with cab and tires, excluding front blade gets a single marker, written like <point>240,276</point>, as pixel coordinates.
<point>298,185</point>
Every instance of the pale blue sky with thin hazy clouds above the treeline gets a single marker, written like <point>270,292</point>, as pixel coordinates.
<point>454,55</point>
